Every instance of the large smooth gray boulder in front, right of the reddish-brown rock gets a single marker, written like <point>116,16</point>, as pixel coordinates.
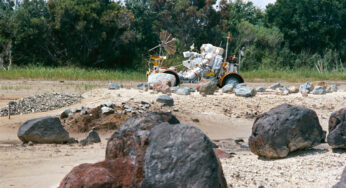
<point>181,156</point>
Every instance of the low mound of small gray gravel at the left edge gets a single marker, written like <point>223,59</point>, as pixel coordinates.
<point>40,103</point>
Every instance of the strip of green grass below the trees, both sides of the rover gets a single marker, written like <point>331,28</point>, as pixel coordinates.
<point>70,73</point>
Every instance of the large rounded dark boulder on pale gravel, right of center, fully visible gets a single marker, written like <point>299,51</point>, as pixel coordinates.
<point>284,129</point>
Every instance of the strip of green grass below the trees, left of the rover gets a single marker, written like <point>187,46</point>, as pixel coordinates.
<point>69,73</point>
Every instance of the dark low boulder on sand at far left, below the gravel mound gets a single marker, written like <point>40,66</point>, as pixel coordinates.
<point>43,130</point>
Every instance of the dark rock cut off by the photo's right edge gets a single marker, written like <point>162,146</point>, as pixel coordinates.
<point>337,129</point>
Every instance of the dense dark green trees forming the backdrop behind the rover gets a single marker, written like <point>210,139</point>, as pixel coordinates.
<point>290,34</point>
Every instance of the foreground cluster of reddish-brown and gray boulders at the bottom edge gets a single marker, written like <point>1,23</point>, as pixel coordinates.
<point>153,150</point>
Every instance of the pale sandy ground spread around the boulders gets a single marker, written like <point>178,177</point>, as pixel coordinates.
<point>221,116</point>
